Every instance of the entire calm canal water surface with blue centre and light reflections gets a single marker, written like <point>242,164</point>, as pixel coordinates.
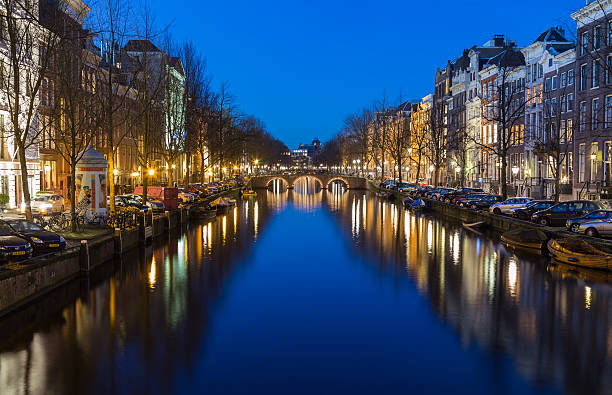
<point>317,292</point>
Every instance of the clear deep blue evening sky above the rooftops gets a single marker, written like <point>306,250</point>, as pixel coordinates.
<point>302,66</point>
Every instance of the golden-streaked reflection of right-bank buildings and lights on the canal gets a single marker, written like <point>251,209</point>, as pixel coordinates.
<point>555,327</point>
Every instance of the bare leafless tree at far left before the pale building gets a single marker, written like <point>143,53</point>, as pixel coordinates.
<point>31,43</point>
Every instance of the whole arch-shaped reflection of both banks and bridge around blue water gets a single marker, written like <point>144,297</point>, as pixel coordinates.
<point>153,313</point>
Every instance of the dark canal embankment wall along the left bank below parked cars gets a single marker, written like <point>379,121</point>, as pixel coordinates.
<point>25,281</point>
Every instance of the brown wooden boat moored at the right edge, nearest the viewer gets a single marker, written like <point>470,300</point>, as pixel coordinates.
<point>578,252</point>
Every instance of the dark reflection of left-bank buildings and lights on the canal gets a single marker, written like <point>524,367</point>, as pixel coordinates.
<point>151,314</point>
